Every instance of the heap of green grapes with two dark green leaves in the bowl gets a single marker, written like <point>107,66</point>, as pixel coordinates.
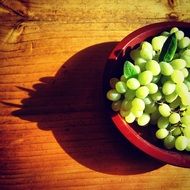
<point>155,88</point>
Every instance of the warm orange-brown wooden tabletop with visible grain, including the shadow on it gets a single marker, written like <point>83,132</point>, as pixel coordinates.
<point>54,133</point>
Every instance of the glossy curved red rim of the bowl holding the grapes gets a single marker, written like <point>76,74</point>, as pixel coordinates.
<point>167,156</point>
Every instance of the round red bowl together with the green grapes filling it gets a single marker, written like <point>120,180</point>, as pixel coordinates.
<point>147,89</point>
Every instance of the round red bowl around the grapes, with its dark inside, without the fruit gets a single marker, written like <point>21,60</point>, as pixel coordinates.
<point>141,137</point>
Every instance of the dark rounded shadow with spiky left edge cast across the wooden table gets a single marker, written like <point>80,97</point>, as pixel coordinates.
<point>71,106</point>
